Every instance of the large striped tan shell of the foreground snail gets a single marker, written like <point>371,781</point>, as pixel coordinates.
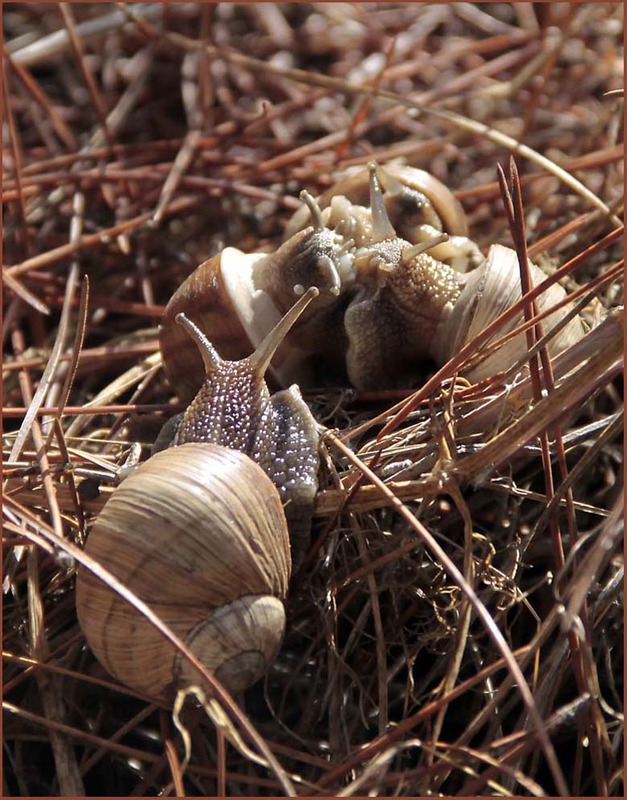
<point>218,584</point>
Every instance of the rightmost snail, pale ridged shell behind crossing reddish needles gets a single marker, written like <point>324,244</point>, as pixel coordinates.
<point>429,312</point>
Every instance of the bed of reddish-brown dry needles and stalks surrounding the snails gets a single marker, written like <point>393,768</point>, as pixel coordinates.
<point>137,140</point>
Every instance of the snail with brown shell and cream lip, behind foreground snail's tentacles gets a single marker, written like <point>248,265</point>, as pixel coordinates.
<point>236,298</point>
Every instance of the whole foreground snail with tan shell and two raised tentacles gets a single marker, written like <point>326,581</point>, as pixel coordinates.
<point>206,530</point>
